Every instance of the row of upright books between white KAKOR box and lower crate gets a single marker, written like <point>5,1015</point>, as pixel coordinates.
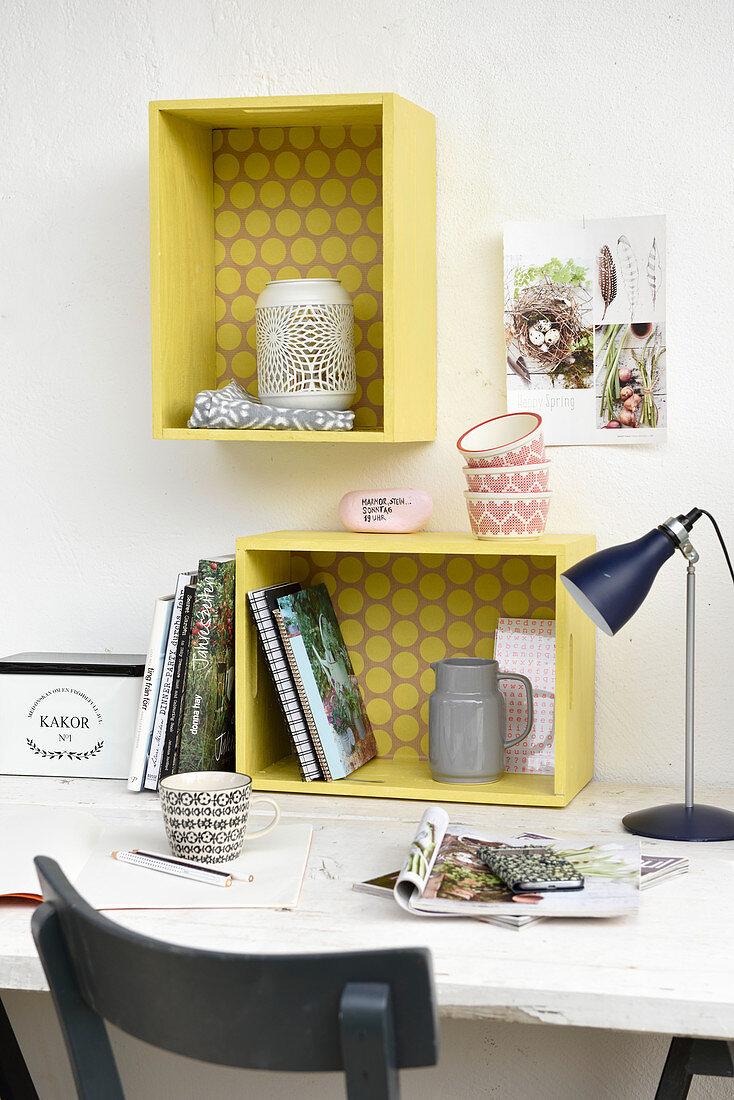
<point>187,712</point>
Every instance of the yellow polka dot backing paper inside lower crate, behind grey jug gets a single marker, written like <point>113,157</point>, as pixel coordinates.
<point>399,614</point>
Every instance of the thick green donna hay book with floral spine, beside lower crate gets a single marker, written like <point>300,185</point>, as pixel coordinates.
<point>207,732</point>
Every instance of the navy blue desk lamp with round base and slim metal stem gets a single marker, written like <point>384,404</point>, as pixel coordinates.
<point>610,587</point>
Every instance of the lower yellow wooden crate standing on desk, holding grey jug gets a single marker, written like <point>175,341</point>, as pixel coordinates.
<point>403,601</point>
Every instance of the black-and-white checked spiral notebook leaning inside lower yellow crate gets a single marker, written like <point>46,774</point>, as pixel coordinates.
<point>264,602</point>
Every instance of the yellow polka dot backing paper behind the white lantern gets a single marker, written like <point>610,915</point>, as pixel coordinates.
<point>297,203</point>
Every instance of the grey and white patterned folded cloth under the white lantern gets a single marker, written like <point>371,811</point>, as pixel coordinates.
<point>234,408</point>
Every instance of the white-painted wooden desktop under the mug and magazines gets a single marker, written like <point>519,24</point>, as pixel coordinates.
<point>669,971</point>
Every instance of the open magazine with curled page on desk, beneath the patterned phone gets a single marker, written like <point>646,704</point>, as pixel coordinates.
<point>444,876</point>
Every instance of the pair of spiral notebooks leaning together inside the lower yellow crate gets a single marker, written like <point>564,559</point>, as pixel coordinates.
<point>314,678</point>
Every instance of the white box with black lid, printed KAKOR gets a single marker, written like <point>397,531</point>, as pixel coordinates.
<point>69,714</point>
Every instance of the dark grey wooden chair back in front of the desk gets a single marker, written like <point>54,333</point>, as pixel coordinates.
<point>368,1014</point>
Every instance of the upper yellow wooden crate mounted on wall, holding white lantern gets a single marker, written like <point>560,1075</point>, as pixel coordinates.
<point>246,191</point>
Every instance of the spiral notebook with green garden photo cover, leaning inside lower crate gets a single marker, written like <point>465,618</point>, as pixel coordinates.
<point>326,683</point>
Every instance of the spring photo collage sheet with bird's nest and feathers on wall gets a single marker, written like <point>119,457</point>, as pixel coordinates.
<point>585,328</point>
